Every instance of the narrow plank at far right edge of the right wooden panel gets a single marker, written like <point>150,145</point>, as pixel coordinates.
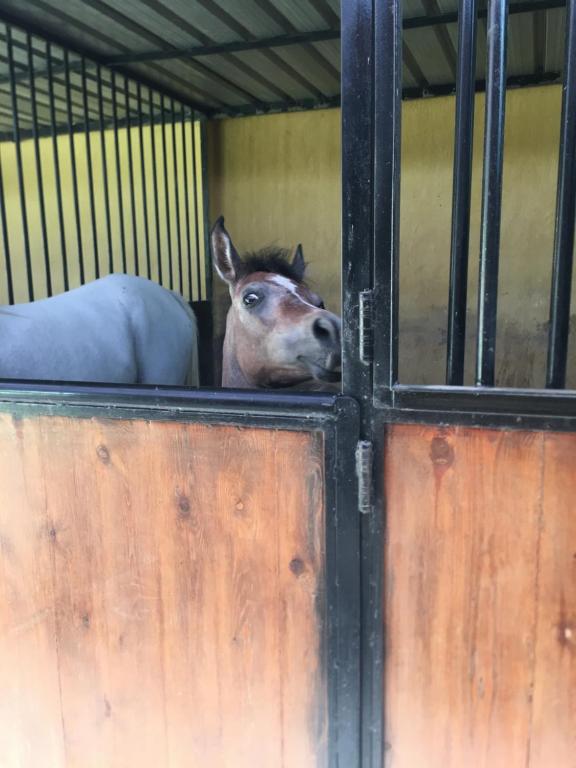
<point>553,738</point>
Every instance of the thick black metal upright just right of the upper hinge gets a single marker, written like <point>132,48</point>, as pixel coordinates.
<point>387,113</point>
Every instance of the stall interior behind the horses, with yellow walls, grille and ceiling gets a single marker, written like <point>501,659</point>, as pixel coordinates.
<point>196,109</point>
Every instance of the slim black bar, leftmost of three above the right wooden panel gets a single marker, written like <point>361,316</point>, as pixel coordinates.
<point>461,192</point>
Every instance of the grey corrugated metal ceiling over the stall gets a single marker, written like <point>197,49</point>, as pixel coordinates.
<point>269,54</point>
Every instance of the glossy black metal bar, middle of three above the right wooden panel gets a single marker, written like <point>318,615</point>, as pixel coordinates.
<point>491,192</point>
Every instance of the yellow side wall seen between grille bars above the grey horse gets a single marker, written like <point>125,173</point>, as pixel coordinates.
<point>14,215</point>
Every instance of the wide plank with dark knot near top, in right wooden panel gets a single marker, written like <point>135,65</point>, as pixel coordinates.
<point>463,516</point>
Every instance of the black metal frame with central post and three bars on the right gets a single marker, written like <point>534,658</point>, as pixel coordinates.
<point>371,110</point>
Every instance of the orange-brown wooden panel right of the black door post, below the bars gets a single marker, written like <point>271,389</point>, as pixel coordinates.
<point>480,538</point>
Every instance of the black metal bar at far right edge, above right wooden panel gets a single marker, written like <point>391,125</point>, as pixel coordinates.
<point>561,288</point>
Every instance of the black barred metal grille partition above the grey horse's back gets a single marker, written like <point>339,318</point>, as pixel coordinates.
<point>98,173</point>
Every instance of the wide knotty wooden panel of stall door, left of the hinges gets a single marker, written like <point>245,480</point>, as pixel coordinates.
<point>161,596</point>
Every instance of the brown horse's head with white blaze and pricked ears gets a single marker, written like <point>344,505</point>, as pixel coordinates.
<point>278,333</point>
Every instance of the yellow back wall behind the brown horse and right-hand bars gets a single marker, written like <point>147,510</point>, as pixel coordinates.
<point>277,179</point>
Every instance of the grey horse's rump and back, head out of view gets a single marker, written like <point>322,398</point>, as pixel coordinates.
<point>118,329</point>
